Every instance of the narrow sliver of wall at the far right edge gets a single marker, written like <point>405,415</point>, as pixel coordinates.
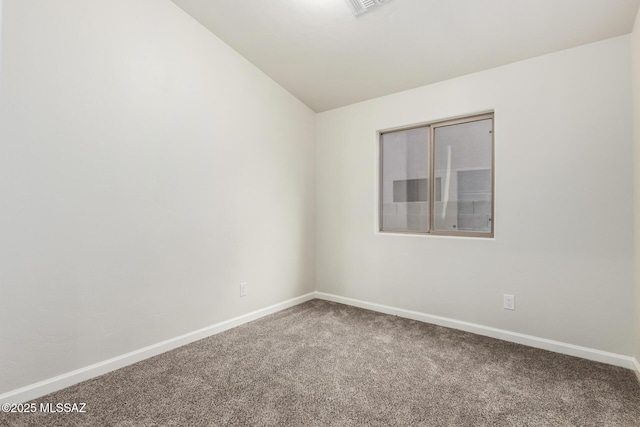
<point>635,58</point>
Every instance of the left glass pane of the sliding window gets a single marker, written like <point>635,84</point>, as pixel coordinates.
<point>405,192</point>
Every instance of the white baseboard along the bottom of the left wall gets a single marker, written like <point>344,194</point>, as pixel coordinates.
<point>42,388</point>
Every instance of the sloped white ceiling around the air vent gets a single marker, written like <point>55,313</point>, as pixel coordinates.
<point>328,58</point>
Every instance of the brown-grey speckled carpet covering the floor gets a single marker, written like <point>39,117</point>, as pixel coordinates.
<point>327,364</point>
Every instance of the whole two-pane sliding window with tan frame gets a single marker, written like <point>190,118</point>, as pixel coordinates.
<point>438,178</point>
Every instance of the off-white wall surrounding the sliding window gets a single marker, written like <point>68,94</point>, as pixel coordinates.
<point>563,202</point>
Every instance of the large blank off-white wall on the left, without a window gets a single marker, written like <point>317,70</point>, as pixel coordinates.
<point>146,169</point>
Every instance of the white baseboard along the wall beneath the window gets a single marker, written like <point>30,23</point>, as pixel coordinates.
<point>529,340</point>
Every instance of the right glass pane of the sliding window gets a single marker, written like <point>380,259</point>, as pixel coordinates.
<point>463,165</point>
